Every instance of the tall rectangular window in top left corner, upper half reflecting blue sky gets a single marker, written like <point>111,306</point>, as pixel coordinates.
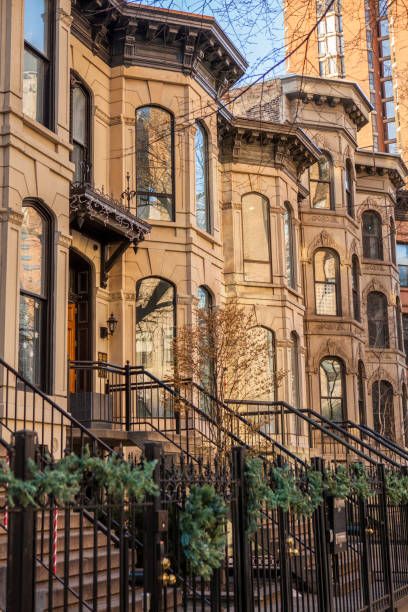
<point>38,53</point>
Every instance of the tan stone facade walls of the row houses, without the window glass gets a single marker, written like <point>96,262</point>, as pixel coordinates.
<point>261,142</point>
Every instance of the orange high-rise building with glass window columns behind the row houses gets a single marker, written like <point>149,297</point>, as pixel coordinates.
<point>363,41</point>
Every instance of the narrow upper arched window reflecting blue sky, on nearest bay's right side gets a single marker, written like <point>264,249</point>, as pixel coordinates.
<point>203,219</point>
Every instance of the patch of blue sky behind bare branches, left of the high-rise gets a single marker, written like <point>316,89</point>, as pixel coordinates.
<point>256,28</point>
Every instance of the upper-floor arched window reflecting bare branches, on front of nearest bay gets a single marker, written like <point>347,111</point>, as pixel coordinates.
<point>154,163</point>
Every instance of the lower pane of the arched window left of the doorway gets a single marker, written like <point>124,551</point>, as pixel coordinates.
<point>30,330</point>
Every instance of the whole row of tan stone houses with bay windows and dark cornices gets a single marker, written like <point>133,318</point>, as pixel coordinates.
<point>139,182</point>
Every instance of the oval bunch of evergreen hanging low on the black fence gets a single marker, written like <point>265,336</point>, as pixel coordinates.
<point>202,526</point>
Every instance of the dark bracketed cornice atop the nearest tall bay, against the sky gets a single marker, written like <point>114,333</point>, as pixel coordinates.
<point>121,33</point>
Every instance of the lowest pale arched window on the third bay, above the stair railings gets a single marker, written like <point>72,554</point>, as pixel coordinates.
<point>332,389</point>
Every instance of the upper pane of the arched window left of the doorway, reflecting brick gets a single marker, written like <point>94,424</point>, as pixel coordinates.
<point>32,252</point>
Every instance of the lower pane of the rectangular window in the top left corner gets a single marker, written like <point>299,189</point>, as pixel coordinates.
<point>33,87</point>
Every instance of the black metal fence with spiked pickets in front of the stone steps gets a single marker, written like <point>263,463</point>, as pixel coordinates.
<point>94,554</point>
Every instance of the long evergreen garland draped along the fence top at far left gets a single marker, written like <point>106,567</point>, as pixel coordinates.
<point>64,479</point>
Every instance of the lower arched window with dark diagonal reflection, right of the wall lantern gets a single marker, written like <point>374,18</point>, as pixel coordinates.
<point>155,325</point>
